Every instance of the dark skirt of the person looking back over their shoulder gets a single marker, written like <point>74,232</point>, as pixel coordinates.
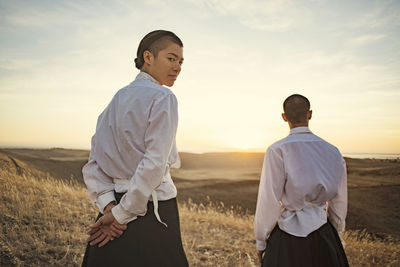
<point>146,242</point>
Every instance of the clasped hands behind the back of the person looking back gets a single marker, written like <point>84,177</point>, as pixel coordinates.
<point>105,229</point>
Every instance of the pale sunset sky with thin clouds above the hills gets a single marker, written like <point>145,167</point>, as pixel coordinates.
<point>61,62</point>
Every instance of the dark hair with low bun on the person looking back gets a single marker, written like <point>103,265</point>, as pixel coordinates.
<point>154,42</point>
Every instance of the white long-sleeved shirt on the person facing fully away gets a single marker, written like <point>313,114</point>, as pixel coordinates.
<point>303,181</point>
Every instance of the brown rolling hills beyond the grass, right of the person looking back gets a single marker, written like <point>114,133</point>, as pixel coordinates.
<point>232,178</point>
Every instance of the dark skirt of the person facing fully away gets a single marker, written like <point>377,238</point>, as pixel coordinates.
<point>320,248</point>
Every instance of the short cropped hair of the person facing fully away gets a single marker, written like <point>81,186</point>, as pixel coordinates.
<point>296,108</point>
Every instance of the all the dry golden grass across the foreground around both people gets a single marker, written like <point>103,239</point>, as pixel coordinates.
<point>43,222</point>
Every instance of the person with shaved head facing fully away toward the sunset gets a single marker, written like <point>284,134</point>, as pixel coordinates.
<point>302,197</point>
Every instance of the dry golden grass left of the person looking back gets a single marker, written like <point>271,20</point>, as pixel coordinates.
<point>42,220</point>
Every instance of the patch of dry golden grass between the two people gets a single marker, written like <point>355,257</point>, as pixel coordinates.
<point>213,236</point>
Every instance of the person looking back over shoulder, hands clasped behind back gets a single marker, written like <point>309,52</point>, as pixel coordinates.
<point>127,174</point>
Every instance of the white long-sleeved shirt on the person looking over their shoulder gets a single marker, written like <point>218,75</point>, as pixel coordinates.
<point>134,148</point>
